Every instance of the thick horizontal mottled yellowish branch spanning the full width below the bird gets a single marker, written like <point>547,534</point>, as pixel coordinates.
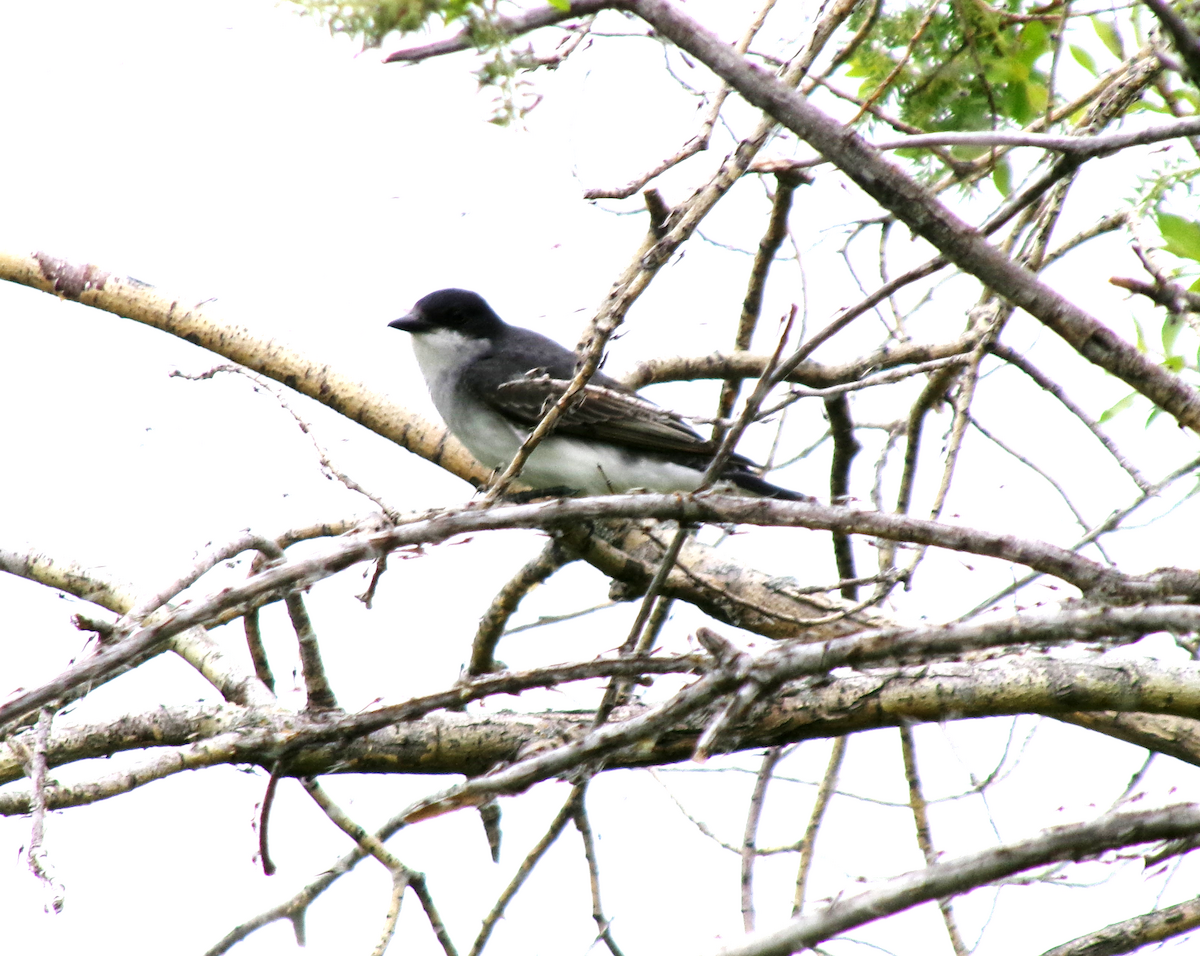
<point>457,743</point>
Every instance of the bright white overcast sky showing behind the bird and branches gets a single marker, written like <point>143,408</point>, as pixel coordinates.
<point>233,152</point>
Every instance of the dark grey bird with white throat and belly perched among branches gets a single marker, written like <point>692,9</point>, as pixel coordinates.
<point>494,382</point>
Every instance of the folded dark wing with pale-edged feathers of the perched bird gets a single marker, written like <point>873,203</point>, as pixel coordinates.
<point>601,413</point>
